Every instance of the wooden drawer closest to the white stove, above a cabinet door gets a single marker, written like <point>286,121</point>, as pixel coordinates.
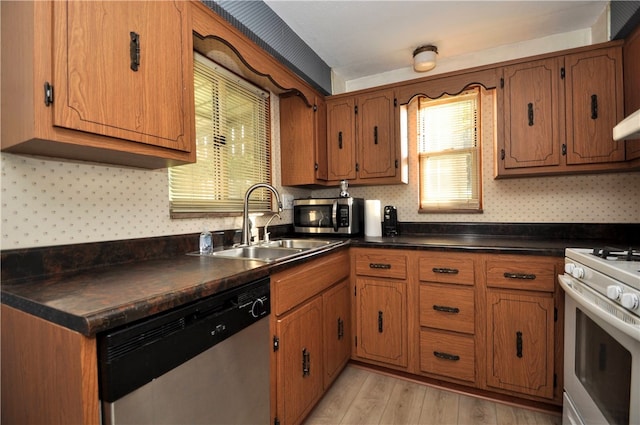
<point>522,274</point>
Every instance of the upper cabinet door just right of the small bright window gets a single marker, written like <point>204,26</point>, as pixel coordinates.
<point>532,120</point>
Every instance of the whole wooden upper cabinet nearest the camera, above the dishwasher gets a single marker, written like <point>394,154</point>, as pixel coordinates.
<point>99,108</point>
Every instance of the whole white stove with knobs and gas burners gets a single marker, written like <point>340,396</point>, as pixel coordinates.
<point>602,336</point>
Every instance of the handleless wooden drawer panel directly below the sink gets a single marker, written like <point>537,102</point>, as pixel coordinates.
<point>291,287</point>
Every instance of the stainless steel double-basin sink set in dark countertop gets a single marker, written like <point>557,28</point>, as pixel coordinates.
<point>271,251</point>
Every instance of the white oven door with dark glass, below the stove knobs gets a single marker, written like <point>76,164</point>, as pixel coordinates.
<point>601,359</point>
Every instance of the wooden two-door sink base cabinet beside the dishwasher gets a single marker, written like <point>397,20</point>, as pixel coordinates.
<point>311,328</point>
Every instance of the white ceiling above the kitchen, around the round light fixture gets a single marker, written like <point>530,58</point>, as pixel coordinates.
<point>363,38</point>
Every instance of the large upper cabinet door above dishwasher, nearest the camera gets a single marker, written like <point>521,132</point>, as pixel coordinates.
<point>99,89</point>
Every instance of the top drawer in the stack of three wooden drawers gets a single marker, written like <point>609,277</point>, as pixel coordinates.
<point>446,269</point>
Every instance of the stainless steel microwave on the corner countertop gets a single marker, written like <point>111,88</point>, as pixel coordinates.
<point>339,216</point>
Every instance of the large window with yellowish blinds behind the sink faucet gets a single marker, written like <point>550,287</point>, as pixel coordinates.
<point>232,143</point>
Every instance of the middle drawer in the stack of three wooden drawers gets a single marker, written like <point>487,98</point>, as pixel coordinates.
<point>447,307</point>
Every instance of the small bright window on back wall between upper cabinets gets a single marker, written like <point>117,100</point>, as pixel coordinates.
<point>448,152</point>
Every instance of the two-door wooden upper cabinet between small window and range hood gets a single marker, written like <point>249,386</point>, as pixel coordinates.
<point>556,114</point>
